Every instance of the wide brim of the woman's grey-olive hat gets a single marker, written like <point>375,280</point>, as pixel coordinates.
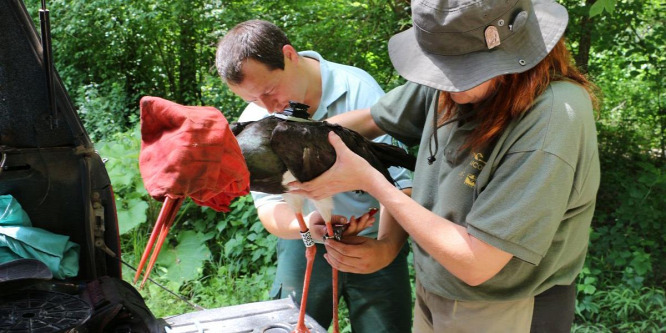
<point>516,54</point>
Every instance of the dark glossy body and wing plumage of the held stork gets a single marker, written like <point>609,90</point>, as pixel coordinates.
<point>273,146</point>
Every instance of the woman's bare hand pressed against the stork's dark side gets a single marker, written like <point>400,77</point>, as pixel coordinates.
<point>350,172</point>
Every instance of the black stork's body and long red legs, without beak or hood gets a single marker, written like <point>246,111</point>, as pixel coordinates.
<point>278,150</point>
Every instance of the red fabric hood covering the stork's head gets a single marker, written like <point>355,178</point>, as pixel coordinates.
<point>190,151</point>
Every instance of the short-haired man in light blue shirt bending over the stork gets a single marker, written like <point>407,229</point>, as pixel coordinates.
<point>259,64</point>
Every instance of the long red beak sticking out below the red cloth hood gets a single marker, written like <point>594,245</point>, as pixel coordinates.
<point>162,226</point>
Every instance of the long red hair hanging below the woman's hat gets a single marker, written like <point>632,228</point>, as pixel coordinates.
<point>516,95</point>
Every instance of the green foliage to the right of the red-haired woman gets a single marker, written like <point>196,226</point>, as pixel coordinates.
<point>624,259</point>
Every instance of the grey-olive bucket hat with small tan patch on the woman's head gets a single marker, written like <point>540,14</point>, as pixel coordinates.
<point>456,45</point>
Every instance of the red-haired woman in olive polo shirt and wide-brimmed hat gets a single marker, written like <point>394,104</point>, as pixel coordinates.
<point>507,173</point>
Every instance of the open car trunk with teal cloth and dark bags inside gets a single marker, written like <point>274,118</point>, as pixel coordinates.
<point>48,165</point>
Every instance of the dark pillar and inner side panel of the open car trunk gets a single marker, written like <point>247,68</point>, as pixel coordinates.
<point>49,164</point>
